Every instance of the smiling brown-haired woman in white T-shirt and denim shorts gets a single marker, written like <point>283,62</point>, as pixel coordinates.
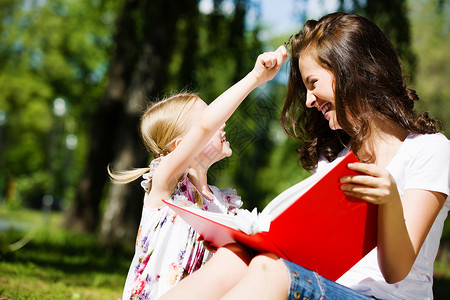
<point>346,90</point>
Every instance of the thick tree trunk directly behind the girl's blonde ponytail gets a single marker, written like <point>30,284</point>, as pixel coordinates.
<point>122,216</point>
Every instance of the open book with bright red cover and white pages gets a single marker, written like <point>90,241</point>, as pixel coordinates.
<point>312,224</point>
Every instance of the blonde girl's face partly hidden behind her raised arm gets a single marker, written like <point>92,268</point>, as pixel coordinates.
<point>218,147</point>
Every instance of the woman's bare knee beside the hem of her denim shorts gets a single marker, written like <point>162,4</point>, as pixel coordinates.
<point>266,278</point>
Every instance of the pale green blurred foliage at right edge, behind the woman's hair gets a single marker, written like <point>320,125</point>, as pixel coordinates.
<point>433,71</point>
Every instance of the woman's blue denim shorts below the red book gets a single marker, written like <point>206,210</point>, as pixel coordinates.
<point>308,285</point>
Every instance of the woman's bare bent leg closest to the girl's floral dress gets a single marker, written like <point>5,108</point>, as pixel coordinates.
<point>215,278</point>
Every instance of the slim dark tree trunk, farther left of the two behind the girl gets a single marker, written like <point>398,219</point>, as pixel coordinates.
<point>84,212</point>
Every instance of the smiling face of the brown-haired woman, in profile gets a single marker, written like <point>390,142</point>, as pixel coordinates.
<point>319,83</point>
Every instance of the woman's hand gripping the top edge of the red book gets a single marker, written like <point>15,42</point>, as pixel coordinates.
<point>375,185</point>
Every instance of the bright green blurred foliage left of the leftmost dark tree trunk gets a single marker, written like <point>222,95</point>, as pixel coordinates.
<point>49,49</point>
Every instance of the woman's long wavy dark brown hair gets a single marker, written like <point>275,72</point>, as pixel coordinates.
<point>369,83</point>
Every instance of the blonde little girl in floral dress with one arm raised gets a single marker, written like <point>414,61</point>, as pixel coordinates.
<point>186,136</point>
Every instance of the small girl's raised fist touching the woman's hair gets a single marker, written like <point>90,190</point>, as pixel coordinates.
<point>268,64</point>
